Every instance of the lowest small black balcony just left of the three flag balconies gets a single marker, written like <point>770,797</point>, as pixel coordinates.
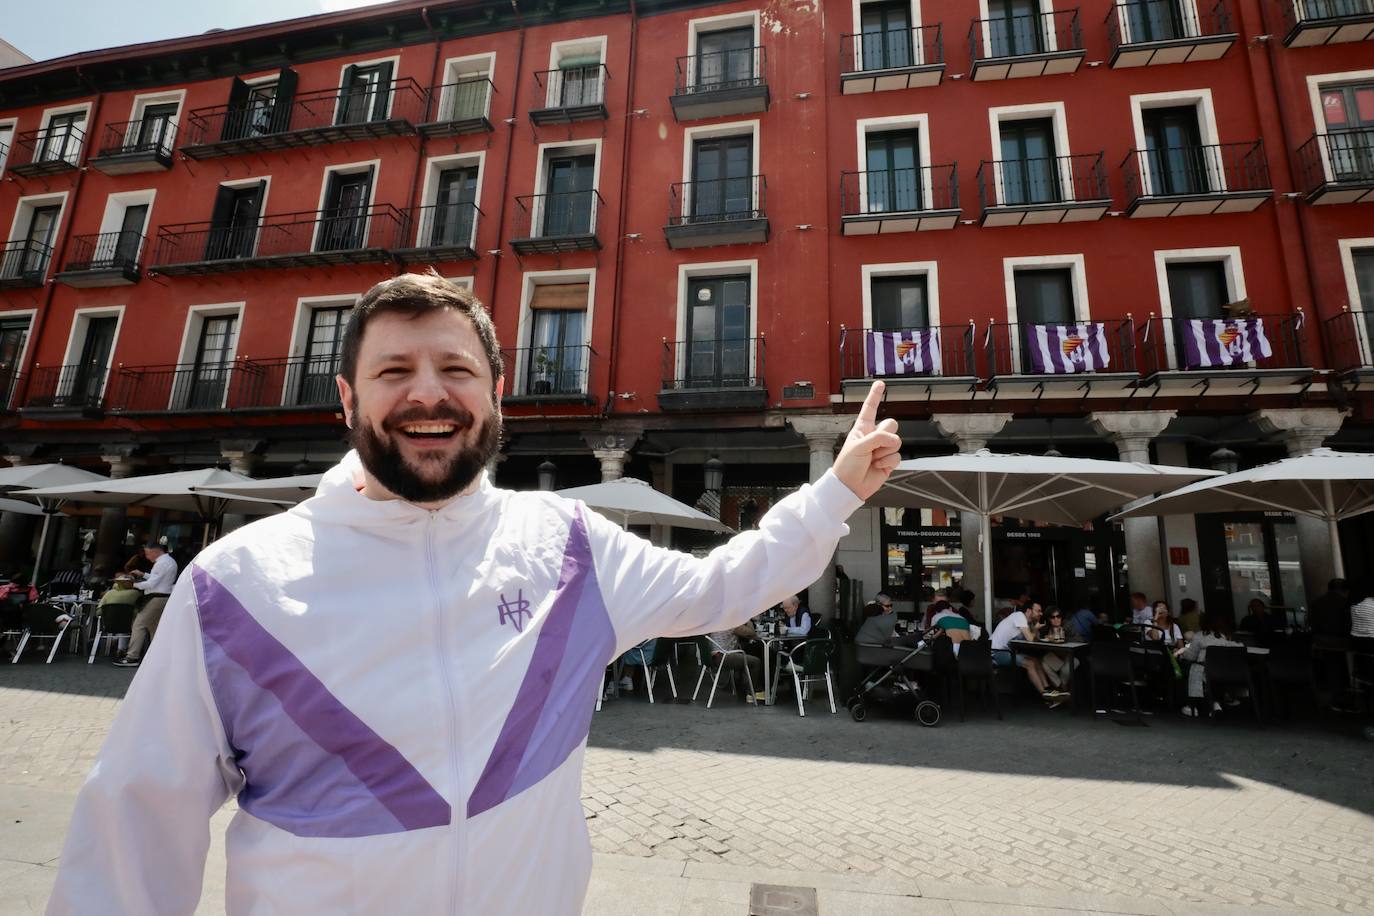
<point>714,376</point>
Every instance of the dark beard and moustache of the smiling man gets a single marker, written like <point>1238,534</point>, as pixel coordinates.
<point>384,461</point>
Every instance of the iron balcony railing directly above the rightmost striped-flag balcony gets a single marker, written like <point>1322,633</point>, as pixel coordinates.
<point>1221,168</point>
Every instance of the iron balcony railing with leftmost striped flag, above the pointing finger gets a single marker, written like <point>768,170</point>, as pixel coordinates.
<point>865,355</point>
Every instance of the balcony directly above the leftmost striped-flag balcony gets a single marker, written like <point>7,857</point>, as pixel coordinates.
<point>899,200</point>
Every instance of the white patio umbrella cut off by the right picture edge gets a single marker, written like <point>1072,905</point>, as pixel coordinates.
<point>1325,485</point>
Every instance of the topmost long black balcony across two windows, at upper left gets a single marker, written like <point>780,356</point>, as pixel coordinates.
<point>307,120</point>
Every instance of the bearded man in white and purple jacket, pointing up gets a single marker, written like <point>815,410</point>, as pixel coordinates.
<point>396,678</point>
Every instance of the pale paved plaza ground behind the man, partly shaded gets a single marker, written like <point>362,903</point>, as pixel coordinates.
<point>688,807</point>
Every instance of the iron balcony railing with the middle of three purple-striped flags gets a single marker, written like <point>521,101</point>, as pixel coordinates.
<point>1012,348</point>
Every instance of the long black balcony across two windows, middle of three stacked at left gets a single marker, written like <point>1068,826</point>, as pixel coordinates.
<point>282,241</point>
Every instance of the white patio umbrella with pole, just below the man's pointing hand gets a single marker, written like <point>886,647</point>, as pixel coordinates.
<point>1061,491</point>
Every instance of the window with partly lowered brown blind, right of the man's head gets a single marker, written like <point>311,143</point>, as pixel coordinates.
<point>557,360</point>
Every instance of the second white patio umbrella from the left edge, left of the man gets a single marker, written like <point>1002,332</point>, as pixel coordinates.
<point>177,491</point>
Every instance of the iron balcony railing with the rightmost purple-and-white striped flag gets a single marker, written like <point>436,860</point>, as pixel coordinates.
<point>1167,344</point>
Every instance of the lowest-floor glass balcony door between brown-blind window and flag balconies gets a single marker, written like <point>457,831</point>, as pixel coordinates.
<point>718,333</point>
